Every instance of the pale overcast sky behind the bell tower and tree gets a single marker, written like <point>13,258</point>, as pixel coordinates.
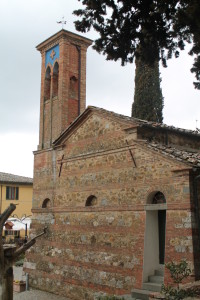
<point>26,23</point>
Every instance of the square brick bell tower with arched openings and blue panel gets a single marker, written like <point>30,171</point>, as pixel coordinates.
<point>63,83</point>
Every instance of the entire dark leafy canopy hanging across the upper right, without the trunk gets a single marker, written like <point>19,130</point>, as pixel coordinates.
<point>152,30</point>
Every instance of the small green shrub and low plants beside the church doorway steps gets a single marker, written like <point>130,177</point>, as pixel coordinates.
<point>178,272</point>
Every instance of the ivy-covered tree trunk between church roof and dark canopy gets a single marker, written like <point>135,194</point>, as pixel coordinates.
<point>148,99</point>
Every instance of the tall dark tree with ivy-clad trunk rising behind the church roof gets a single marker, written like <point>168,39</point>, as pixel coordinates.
<point>135,29</point>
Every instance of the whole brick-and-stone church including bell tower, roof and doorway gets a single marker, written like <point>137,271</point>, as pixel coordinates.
<point>119,195</point>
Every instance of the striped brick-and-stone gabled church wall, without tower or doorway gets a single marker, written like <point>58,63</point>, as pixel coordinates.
<point>100,248</point>
